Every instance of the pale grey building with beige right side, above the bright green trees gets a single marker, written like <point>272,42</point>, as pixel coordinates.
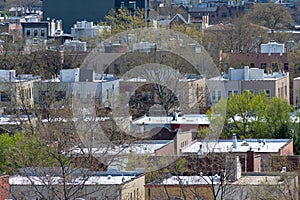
<point>236,81</point>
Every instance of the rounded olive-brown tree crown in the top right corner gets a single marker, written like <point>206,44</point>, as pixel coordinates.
<point>273,16</point>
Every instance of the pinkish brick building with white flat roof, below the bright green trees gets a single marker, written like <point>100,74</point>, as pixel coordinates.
<point>255,154</point>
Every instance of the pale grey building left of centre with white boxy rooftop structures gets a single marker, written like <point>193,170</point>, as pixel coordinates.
<point>83,84</point>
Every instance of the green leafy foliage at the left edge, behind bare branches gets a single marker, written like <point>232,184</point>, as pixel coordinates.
<point>21,150</point>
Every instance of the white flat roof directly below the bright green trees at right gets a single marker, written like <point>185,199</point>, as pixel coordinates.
<point>222,146</point>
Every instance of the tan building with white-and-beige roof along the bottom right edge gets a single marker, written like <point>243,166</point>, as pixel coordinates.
<point>247,186</point>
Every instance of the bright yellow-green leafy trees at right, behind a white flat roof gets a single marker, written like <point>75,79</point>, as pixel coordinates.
<point>257,116</point>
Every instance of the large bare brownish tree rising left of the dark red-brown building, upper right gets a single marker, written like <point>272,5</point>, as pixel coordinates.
<point>239,36</point>
